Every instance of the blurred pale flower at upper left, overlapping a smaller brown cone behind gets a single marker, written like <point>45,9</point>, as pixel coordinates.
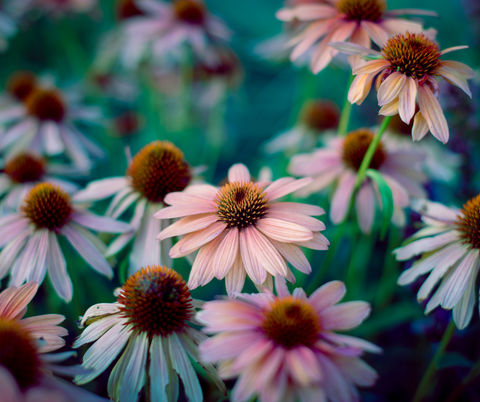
<point>45,123</point>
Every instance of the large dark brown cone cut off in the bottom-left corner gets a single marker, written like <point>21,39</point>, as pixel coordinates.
<point>18,353</point>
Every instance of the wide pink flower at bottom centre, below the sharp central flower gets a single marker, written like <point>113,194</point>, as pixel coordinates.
<point>283,348</point>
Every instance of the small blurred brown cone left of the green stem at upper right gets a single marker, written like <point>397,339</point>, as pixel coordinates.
<point>320,115</point>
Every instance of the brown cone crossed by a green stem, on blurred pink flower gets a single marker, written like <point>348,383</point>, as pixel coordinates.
<point>355,147</point>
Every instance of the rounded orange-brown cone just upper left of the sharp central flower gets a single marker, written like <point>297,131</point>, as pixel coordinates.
<point>158,169</point>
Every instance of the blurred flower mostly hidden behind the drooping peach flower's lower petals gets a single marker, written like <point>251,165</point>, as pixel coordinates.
<point>441,164</point>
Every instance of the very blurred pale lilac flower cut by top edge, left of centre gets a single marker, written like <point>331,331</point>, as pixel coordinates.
<point>166,27</point>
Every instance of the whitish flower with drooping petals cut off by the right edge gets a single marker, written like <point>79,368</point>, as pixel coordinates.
<point>449,245</point>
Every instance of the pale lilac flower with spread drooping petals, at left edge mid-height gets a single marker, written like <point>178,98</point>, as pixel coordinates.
<point>29,239</point>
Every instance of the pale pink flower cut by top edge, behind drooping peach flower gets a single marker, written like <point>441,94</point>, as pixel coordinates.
<point>356,21</point>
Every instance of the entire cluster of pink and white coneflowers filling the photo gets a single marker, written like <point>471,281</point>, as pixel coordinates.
<point>280,346</point>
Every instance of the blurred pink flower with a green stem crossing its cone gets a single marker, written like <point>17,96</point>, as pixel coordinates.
<point>339,163</point>
